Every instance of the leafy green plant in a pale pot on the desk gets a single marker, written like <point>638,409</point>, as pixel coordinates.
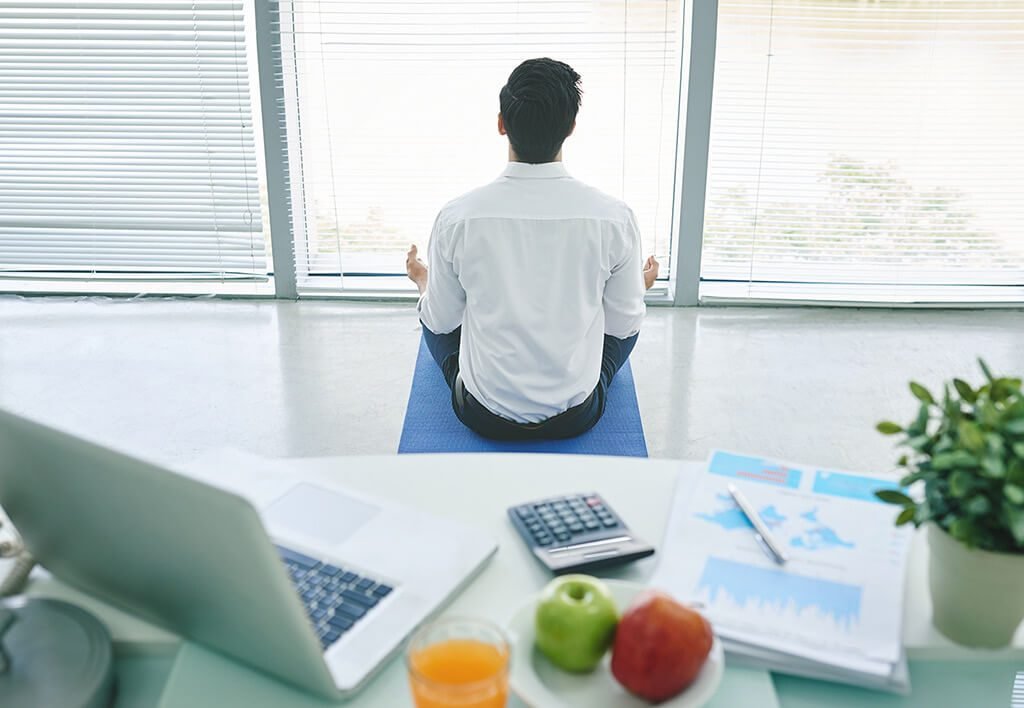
<point>967,452</point>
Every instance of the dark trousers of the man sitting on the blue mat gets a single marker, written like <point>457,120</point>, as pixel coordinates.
<point>577,421</point>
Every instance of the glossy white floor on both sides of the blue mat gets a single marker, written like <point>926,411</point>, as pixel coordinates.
<point>175,379</point>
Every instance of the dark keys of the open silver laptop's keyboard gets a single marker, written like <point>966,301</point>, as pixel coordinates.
<point>335,599</point>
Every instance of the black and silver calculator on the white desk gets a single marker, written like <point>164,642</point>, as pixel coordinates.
<point>577,534</point>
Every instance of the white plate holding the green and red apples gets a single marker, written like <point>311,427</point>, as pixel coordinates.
<point>540,685</point>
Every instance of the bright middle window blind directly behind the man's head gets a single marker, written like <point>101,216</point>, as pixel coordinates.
<point>392,112</point>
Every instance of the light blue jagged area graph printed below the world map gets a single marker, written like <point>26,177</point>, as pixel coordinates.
<point>773,589</point>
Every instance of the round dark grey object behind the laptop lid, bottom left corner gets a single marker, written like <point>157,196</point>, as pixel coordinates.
<point>54,654</point>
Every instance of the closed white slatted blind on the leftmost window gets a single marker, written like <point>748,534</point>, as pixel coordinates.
<point>127,140</point>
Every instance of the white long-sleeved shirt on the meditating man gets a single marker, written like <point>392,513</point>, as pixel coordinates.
<point>537,268</point>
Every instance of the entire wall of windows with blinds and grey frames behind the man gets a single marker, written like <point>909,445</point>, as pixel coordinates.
<point>847,151</point>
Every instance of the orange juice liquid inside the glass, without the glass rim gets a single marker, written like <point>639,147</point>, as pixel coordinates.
<point>457,673</point>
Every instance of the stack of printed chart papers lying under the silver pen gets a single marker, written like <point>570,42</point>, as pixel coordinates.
<point>835,610</point>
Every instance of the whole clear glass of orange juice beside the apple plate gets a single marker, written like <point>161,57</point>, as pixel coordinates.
<point>459,663</point>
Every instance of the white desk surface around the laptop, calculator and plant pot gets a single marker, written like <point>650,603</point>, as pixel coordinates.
<point>477,490</point>
